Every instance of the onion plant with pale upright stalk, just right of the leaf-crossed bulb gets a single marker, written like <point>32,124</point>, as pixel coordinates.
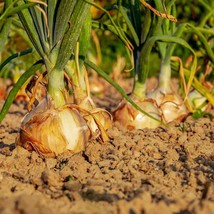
<point>168,100</point>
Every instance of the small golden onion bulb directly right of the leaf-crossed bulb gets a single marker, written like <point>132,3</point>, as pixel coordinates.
<point>170,104</point>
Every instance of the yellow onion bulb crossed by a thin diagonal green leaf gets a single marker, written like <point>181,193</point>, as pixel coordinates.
<point>130,118</point>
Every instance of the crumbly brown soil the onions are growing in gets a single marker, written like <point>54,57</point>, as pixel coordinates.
<point>164,170</point>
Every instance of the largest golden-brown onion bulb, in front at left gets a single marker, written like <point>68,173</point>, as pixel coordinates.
<point>54,131</point>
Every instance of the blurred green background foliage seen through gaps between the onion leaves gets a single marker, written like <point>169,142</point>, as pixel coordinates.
<point>108,51</point>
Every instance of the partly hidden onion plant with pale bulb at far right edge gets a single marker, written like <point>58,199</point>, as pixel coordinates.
<point>201,96</point>
